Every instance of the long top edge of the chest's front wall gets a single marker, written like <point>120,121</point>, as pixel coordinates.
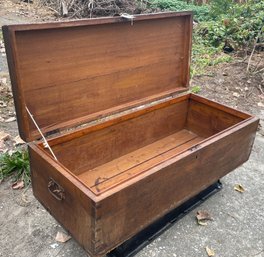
<point>179,156</point>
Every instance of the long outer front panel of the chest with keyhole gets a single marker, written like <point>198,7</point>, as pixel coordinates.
<point>149,196</point>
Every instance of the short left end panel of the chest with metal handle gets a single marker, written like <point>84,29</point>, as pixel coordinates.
<point>75,210</point>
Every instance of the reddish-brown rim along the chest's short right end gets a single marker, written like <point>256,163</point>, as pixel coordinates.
<point>219,106</point>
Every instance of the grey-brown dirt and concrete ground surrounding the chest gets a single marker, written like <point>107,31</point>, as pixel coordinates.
<point>27,230</point>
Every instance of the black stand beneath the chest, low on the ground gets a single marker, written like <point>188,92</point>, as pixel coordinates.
<point>144,237</point>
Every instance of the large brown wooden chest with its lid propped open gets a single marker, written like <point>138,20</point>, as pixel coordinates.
<point>113,178</point>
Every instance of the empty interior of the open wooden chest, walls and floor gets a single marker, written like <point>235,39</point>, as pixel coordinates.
<point>109,154</point>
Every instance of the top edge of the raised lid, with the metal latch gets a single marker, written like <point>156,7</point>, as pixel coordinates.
<point>97,21</point>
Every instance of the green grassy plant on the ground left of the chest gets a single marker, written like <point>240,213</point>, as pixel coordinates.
<point>15,165</point>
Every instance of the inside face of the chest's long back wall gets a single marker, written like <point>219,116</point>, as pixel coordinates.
<point>101,146</point>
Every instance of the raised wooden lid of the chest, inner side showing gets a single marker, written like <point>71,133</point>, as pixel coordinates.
<point>68,73</point>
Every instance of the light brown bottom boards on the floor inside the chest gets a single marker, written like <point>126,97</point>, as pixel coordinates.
<point>134,160</point>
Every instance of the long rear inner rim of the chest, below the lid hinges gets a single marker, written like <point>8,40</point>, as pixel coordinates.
<point>71,135</point>
